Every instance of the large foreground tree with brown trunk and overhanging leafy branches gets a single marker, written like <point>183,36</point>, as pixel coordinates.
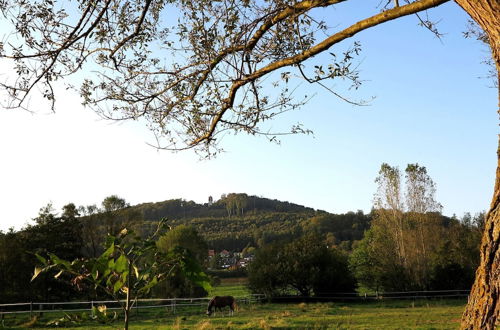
<point>215,82</point>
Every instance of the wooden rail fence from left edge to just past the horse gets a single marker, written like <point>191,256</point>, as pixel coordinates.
<point>171,304</point>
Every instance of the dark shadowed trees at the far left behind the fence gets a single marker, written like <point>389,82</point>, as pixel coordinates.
<point>49,233</point>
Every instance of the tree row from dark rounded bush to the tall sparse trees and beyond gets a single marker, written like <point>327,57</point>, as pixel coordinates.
<point>408,246</point>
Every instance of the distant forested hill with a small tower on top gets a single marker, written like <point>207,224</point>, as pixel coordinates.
<point>236,221</point>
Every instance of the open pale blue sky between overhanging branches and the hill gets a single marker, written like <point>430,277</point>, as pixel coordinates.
<point>431,107</point>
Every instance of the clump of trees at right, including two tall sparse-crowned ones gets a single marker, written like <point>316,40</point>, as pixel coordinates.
<point>410,245</point>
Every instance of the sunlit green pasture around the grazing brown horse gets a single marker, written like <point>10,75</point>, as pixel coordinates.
<point>386,314</point>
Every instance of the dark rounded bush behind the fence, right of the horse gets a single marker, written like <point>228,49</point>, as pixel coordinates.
<point>305,266</point>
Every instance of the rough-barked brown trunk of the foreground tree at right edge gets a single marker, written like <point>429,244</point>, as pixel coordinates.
<point>483,308</point>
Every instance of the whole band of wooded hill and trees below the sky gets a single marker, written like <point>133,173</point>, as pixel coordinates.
<point>404,243</point>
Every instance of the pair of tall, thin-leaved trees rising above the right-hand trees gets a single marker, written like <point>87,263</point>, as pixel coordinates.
<point>412,220</point>
